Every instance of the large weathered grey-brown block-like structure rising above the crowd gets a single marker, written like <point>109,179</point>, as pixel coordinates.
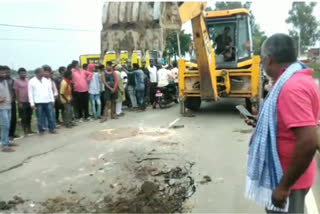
<point>138,25</point>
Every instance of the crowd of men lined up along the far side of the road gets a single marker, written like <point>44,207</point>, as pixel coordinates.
<point>64,99</point>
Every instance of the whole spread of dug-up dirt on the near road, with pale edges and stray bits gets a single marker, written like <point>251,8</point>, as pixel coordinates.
<point>153,186</point>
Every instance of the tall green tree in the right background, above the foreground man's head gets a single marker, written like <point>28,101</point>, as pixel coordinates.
<point>305,28</point>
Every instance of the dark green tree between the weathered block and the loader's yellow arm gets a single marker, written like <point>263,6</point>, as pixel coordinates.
<point>172,44</point>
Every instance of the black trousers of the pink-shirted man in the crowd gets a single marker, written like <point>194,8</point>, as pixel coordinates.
<point>82,104</point>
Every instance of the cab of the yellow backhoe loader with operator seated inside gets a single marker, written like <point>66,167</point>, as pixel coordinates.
<point>230,36</point>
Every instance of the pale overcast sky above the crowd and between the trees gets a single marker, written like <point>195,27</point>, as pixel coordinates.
<point>32,48</point>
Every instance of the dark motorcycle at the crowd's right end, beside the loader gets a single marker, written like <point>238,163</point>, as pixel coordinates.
<point>166,95</point>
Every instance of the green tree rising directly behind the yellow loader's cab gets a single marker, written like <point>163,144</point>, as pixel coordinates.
<point>258,35</point>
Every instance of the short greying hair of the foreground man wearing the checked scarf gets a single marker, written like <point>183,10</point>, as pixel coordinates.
<point>280,47</point>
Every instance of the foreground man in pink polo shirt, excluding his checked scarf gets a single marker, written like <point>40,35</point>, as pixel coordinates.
<point>298,111</point>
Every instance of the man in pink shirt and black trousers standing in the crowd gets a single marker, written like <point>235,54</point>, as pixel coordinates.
<point>81,79</point>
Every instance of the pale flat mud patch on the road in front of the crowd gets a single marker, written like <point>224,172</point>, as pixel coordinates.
<point>127,132</point>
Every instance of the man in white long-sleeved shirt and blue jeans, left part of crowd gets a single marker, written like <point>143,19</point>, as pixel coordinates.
<point>41,99</point>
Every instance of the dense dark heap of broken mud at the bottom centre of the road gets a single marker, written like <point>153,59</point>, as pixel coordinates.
<point>166,192</point>
